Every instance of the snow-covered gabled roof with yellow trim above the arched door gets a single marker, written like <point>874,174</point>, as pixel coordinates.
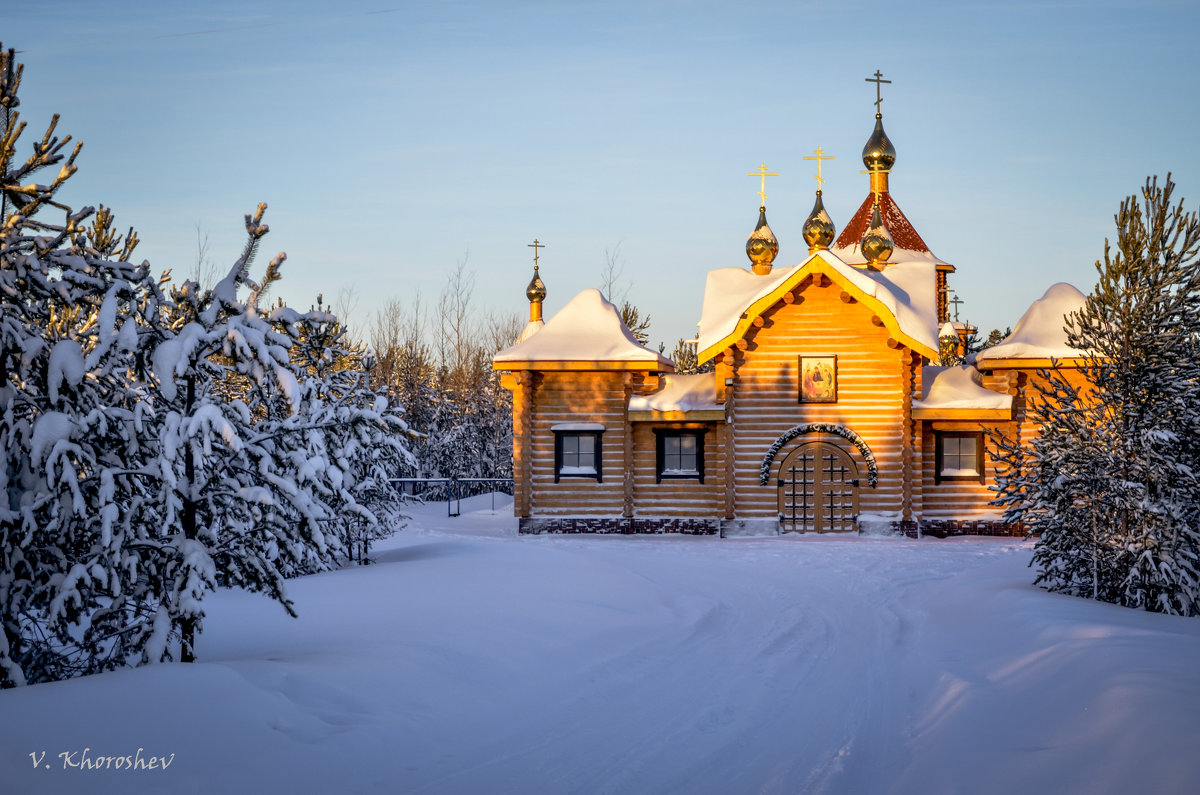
<point>905,291</point>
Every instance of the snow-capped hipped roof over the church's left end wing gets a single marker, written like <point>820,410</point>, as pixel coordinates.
<point>589,330</point>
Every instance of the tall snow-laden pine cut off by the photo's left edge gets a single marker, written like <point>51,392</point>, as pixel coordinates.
<point>68,340</point>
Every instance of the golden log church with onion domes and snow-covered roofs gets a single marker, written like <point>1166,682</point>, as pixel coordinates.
<point>824,411</point>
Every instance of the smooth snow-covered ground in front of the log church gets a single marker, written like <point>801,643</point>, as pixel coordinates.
<point>475,661</point>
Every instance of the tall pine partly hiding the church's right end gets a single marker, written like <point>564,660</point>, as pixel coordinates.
<point>1113,483</point>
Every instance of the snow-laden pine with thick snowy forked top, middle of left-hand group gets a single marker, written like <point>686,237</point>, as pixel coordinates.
<point>239,500</point>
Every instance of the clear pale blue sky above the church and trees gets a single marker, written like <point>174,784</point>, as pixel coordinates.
<point>393,141</point>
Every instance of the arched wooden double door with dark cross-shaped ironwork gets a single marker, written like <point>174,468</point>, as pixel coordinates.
<point>818,491</point>
